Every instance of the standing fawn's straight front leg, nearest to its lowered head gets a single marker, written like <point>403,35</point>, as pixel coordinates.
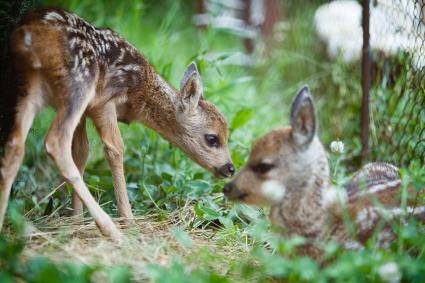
<point>105,120</point>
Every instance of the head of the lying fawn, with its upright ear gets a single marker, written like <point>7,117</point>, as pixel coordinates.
<point>283,160</point>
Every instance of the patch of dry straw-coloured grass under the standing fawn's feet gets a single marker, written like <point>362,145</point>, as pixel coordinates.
<point>147,240</point>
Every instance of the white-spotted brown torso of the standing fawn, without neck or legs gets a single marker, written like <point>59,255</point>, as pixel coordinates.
<point>64,52</point>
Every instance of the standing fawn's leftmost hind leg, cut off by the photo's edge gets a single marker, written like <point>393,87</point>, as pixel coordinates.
<point>14,149</point>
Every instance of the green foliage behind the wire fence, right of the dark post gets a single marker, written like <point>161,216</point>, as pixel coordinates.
<point>397,116</point>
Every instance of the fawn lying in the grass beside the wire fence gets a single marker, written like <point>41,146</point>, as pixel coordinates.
<point>288,170</point>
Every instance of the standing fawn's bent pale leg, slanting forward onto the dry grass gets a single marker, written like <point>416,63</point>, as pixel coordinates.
<point>58,145</point>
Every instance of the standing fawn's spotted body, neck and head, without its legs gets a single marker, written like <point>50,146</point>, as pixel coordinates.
<point>65,60</point>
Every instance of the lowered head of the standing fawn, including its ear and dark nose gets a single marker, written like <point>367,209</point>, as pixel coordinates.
<point>204,131</point>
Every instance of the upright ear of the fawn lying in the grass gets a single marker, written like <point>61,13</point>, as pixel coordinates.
<point>303,118</point>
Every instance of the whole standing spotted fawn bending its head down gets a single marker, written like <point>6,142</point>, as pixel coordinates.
<point>60,60</point>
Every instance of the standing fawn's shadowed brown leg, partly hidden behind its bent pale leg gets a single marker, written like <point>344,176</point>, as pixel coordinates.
<point>80,153</point>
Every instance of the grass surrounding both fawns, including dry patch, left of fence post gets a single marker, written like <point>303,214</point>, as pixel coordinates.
<point>203,237</point>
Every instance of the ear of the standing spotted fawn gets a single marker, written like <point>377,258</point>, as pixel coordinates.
<point>190,88</point>
